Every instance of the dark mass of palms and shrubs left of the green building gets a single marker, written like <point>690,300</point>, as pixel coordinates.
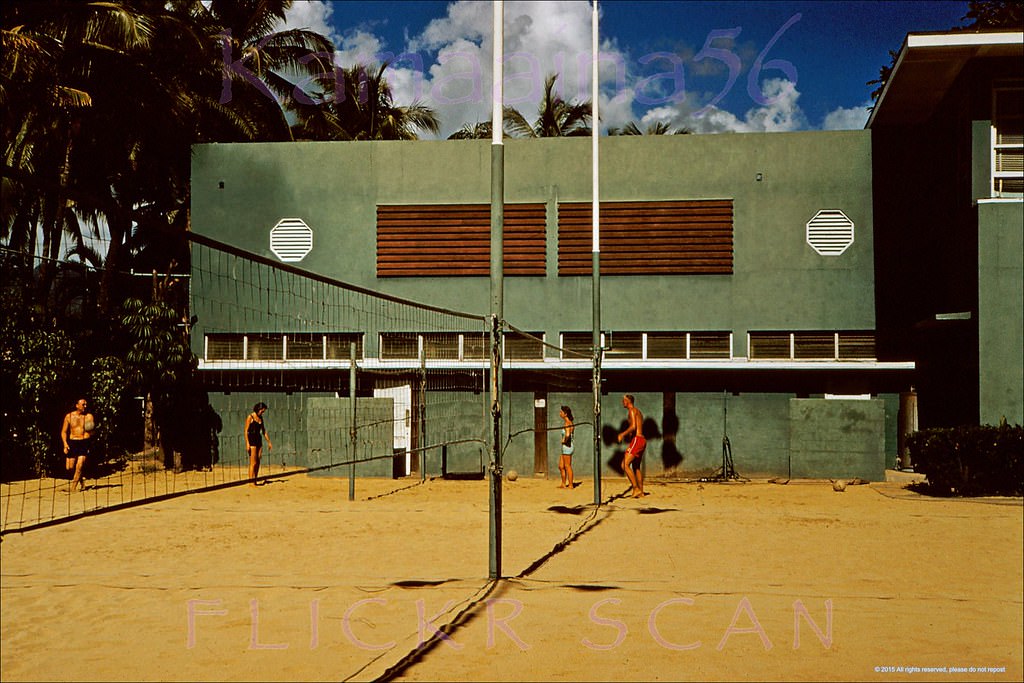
<point>100,106</point>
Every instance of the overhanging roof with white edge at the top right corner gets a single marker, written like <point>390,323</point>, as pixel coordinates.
<point>927,66</point>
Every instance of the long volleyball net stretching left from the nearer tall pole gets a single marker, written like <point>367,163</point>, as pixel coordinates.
<point>358,383</point>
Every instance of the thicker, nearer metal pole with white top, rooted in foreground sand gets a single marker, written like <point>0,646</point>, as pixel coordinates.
<point>497,291</point>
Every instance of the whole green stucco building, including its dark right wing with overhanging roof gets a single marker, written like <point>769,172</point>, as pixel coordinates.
<point>794,292</point>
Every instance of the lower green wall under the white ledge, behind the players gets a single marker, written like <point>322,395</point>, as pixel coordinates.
<point>770,436</point>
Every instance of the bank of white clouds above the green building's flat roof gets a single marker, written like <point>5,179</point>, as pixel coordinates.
<point>448,67</point>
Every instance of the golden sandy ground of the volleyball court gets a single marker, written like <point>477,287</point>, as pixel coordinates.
<point>292,581</point>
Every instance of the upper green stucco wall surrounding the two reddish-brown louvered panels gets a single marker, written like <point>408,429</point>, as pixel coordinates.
<point>336,187</point>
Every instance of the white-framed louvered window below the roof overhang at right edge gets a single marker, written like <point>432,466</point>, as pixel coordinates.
<point>1008,141</point>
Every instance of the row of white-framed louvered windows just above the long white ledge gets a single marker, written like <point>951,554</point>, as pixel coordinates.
<point>858,346</point>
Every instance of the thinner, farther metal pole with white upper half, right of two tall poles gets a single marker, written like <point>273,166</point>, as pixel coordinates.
<point>596,263</point>
